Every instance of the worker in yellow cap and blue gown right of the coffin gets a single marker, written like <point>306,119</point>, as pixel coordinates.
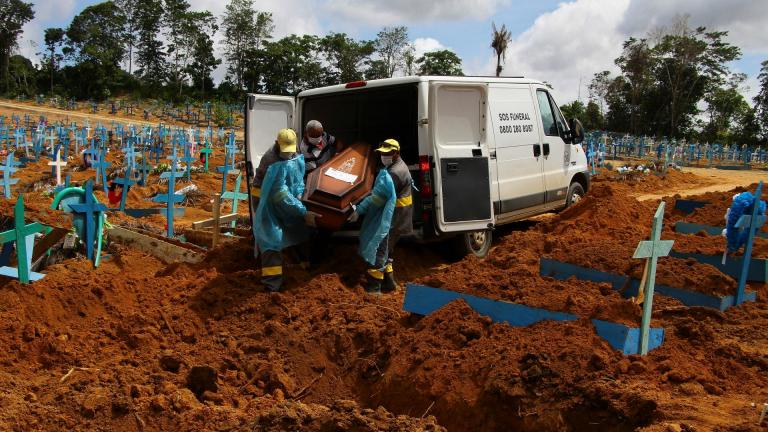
<point>388,214</point>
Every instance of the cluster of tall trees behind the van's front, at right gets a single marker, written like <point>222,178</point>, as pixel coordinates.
<point>677,83</point>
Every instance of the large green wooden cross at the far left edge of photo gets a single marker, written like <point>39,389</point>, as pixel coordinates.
<point>24,236</point>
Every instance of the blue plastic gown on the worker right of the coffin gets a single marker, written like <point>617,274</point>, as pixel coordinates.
<point>377,209</point>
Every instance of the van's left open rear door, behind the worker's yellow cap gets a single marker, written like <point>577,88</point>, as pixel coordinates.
<point>264,116</point>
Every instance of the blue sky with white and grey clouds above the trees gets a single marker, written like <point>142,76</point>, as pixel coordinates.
<point>562,42</point>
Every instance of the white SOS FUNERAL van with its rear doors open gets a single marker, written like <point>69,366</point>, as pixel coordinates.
<point>482,151</point>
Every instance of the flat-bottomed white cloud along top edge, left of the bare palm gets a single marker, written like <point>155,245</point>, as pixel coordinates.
<point>387,12</point>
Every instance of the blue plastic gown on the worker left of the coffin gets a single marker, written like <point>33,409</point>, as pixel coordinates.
<point>279,221</point>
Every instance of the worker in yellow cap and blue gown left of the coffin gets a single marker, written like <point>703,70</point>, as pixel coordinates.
<point>281,219</point>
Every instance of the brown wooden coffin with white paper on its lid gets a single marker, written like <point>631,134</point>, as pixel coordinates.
<point>341,181</point>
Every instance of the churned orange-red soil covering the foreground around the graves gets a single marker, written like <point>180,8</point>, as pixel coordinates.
<point>139,345</point>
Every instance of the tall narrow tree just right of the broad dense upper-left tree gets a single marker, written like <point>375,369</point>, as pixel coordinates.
<point>150,58</point>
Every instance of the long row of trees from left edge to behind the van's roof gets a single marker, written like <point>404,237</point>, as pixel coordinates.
<point>163,49</point>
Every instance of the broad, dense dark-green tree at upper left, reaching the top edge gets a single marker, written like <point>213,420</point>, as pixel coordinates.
<point>95,40</point>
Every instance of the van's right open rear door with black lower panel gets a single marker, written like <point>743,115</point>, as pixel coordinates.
<point>462,176</point>
